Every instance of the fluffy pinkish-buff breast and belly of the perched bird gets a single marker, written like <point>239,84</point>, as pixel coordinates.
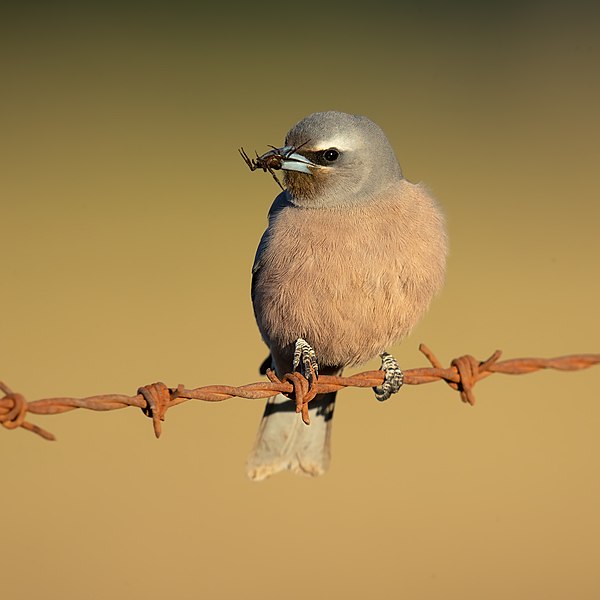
<point>349,282</point>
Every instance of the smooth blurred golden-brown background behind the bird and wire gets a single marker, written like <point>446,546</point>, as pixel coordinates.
<point>129,226</point>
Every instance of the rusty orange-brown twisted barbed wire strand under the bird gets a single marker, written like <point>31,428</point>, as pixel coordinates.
<point>155,399</point>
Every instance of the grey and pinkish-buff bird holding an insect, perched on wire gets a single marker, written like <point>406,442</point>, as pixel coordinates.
<point>352,256</point>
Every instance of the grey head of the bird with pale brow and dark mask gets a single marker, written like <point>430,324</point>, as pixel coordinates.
<point>339,160</point>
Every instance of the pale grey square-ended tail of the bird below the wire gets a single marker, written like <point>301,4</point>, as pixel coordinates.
<point>285,442</point>
